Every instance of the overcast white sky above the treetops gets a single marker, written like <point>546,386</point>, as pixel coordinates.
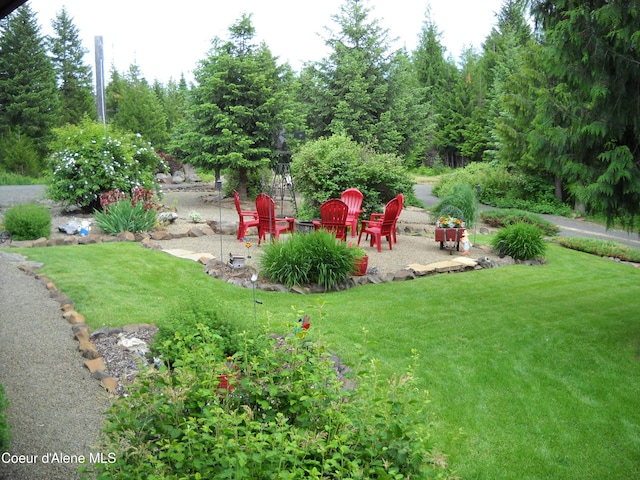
<point>165,42</point>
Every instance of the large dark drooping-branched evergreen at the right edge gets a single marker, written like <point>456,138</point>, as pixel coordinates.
<point>591,54</point>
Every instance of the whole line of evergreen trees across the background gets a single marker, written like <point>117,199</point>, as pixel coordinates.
<point>551,93</point>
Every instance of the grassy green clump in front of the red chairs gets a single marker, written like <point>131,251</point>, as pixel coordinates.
<point>307,259</point>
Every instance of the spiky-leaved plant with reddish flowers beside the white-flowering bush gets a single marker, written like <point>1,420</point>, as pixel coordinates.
<point>123,214</point>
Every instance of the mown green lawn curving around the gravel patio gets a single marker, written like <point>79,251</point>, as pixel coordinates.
<point>532,372</point>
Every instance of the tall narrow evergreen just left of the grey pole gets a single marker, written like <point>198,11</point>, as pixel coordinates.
<point>73,75</point>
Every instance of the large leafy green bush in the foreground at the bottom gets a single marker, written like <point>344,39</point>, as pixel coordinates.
<point>281,413</point>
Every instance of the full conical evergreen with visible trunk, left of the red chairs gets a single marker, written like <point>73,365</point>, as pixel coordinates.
<point>238,107</point>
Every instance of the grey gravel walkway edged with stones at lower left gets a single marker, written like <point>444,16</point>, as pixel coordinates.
<point>55,407</point>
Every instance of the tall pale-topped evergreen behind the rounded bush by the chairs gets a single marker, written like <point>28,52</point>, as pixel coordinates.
<point>349,91</point>
